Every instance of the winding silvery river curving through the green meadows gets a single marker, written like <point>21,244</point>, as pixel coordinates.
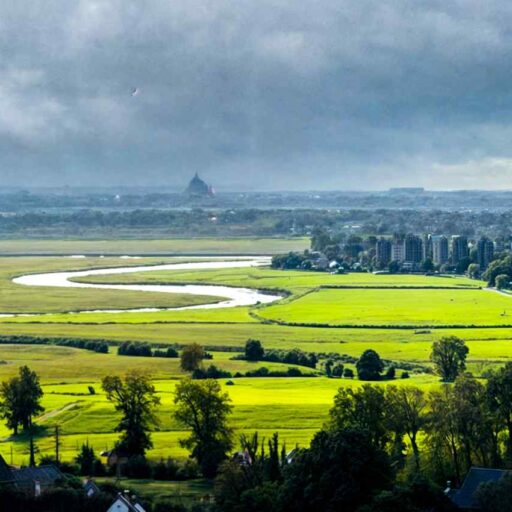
<point>234,296</point>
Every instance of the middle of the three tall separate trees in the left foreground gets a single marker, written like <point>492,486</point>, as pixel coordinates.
<point>135,397</point>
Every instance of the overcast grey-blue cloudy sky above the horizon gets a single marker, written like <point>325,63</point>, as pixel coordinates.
<point>257,94</point>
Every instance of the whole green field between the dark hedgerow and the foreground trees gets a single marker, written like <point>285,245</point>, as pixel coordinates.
<point>295,407</point>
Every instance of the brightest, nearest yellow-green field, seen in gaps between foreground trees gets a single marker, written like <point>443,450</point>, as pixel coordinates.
<point>296,408</point>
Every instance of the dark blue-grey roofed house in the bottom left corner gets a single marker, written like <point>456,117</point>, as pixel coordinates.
<point>32,480</point>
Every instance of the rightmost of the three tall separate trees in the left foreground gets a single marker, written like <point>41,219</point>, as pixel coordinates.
<point>203,408</point>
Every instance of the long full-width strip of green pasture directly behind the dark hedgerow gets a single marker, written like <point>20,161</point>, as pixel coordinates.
<point>493,344</point>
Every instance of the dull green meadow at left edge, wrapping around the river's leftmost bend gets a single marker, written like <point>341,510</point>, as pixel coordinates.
<point>15,298</point>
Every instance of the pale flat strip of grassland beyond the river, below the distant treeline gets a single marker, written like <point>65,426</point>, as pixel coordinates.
<point>170,246</point>
